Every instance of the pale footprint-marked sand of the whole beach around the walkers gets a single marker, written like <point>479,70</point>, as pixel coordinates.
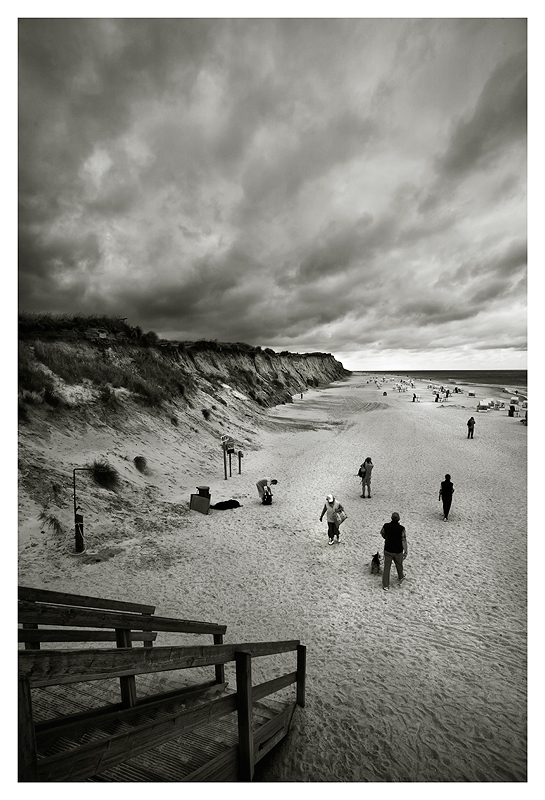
<point>425,683</point>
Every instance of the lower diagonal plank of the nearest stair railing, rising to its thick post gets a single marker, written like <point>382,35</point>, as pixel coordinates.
<point>92,758</point>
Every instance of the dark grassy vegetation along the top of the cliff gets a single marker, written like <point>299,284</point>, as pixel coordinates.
<point>103,355</point>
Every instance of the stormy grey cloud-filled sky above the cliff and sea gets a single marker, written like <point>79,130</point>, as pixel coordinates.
<point>353,186</point>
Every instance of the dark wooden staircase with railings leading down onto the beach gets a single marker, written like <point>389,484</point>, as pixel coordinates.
<point>133,714</point>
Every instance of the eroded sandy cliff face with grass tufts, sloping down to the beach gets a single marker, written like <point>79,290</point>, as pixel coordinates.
<point>156,414</point>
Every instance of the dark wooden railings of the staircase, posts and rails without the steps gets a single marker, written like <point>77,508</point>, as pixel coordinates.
<point>42,668</point>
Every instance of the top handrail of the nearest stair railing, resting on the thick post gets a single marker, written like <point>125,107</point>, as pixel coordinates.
<point>55,667</point>
